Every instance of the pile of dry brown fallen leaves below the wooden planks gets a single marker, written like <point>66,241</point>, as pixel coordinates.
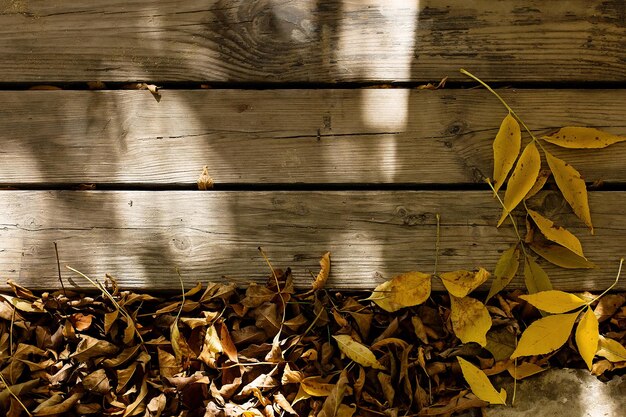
<point>266,350</point>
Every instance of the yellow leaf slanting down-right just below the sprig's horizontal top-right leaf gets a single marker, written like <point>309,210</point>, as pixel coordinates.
<point>572,186</point>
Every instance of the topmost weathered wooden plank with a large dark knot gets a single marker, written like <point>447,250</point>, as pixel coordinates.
<point>311,41</point>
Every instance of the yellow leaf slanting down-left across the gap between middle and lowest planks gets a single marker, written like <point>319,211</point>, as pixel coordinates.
<point>522,180</point>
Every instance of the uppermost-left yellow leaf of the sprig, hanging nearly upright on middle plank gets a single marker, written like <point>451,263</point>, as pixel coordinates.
<point>506,147</point>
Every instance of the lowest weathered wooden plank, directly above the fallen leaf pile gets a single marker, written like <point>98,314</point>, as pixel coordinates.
<point>142,237</point>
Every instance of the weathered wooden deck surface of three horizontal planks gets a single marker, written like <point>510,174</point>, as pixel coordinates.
<point>294,109</point>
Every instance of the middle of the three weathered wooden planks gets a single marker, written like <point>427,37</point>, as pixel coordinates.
<point>385,136</point>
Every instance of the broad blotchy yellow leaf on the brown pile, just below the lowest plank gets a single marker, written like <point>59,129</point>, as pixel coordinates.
<point>470,320</point>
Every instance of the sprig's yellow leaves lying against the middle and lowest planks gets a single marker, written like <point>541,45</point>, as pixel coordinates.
<point>526,180</point>
